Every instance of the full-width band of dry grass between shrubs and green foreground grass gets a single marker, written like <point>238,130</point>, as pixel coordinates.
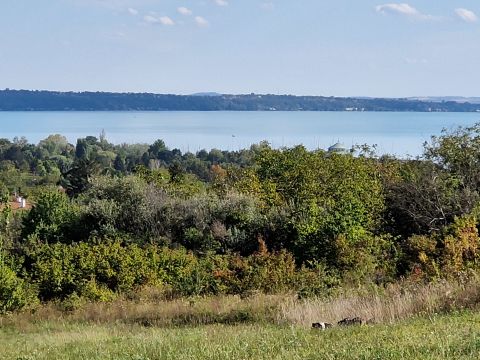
<point>384,306</point>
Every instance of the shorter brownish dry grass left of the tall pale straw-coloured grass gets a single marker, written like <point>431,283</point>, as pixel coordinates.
<point>181,312</point>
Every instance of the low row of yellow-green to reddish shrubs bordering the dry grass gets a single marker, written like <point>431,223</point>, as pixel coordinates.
<point>101,271</point>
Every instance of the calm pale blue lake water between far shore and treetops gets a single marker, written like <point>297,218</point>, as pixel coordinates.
<point>400,133</point>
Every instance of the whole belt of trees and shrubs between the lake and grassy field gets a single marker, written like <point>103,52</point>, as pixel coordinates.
<point>104,220</point>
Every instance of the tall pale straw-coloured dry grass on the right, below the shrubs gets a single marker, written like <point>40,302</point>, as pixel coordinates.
<point>398,302</point>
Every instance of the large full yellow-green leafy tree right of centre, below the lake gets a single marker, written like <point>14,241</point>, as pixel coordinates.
<point>336,202</point>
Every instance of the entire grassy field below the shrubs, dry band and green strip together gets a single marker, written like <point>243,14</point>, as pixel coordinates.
<point>150,327</point>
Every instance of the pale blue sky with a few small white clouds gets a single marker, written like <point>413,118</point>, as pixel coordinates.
<point>303,47</point>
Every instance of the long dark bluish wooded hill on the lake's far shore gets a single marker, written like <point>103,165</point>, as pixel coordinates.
<point>27,100</point>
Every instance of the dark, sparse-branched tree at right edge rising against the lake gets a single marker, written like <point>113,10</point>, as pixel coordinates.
<point>427,194</point>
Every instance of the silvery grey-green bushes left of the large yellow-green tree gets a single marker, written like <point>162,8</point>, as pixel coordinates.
<point>130,207</point>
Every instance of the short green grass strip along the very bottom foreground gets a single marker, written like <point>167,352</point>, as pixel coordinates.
<point>454,336</point>
